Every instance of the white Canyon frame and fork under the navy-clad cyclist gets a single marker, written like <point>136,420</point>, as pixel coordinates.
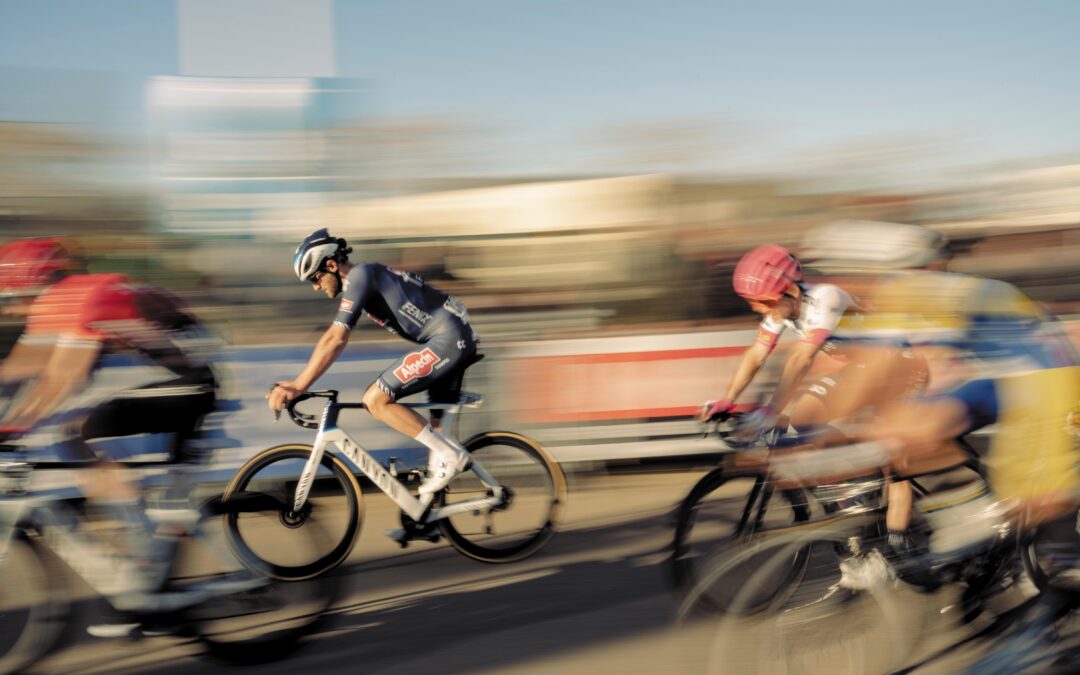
<point>421,510</point>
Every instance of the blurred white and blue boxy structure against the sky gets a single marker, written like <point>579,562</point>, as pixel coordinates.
<point>237,155</point>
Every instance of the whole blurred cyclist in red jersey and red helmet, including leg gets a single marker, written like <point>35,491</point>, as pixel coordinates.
<point>73,321</point>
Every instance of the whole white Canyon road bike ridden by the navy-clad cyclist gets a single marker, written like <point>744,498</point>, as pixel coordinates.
<point>505,508</point>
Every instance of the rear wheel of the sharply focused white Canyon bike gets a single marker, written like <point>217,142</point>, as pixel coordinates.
<point>536,491</point>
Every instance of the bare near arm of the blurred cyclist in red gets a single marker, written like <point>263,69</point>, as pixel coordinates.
<point>66,372</point>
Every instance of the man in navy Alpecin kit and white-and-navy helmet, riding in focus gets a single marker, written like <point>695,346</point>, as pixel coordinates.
<point>406,305</point>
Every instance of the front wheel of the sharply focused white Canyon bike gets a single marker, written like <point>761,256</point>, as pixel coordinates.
<point>272,538</point>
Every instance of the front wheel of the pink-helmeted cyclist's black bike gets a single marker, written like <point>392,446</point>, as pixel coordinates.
<point>726,508</point>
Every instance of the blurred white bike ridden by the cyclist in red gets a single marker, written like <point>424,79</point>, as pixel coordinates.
<point>49,534</point>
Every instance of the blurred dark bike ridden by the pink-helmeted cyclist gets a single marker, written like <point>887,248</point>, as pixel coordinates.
<point>767,491</point>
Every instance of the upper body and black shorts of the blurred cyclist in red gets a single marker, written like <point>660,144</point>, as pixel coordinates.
<point>79,319</point>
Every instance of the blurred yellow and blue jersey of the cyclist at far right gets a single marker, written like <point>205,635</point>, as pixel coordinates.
<point>1028,372</point>
